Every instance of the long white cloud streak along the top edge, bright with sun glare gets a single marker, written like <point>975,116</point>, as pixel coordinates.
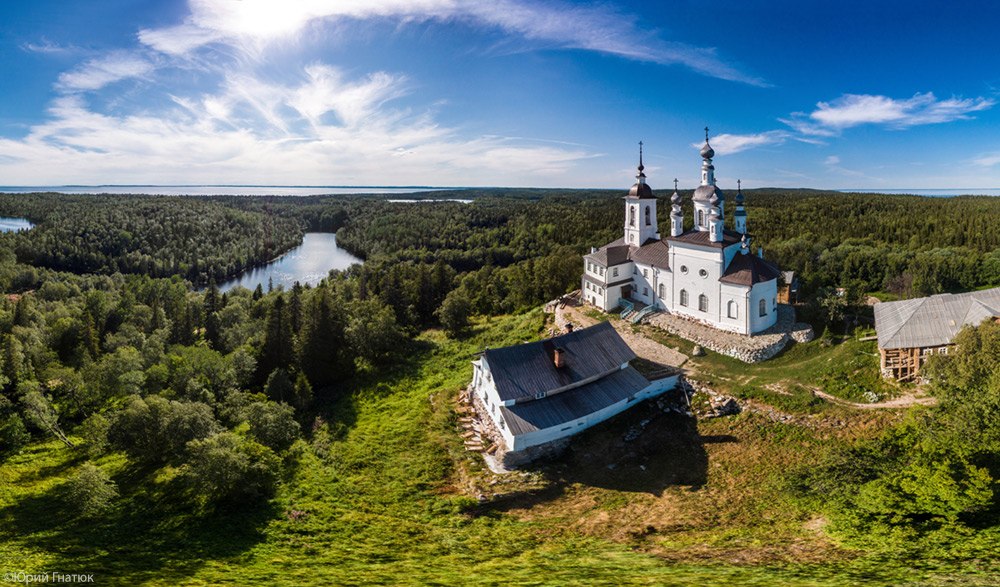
<point>592,28</point>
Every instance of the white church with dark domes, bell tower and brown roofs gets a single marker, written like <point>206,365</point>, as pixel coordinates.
<point>707,274</point>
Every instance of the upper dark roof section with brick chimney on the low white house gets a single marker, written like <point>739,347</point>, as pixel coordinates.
<point>521,371</point>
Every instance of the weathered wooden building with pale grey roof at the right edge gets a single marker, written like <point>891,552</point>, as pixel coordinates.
<point>911,331</point>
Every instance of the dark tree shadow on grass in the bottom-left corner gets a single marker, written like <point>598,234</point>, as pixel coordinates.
<point>152,533</point>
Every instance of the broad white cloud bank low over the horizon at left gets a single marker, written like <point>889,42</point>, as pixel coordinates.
<point>256,132</point>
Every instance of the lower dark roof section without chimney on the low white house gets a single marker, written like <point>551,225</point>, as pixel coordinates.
<point>575,403</point>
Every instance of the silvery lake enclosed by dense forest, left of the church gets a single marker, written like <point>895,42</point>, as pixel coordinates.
<point>309,263</point>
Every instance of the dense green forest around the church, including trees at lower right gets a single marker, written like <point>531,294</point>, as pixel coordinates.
<point>114,339</point>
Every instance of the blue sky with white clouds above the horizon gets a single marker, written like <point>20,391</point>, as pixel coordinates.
<point>505,92</point>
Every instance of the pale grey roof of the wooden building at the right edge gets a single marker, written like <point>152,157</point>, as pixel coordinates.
<point>932,321</point>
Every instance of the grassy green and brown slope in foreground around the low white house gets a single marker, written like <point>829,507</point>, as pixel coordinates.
<point>384,491</point>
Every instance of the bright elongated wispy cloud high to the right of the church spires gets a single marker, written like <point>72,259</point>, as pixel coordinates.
<point>850,110</point>
